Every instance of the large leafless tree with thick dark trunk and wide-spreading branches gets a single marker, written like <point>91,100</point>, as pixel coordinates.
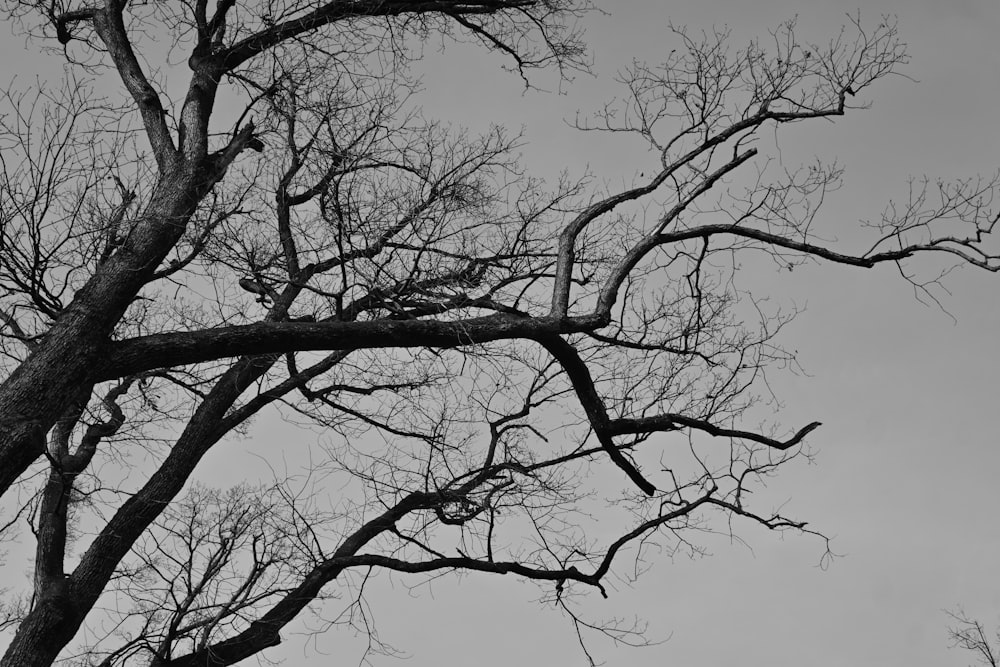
<point>469,340</point>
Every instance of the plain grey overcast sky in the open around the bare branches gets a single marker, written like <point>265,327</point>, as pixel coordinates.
<point>906,463</point>
